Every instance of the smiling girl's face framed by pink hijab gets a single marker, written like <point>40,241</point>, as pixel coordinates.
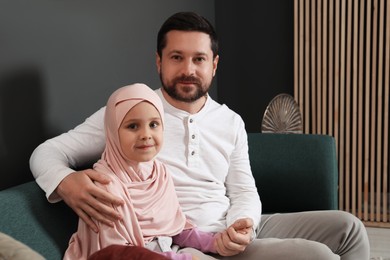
<point>141,133</point>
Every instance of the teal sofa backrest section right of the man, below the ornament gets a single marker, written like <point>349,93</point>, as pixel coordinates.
<point>294,172</point>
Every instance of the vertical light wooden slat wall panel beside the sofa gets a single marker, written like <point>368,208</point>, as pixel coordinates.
<point>341,83</point>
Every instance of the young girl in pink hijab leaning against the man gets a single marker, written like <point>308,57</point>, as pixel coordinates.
<point>134,122</point>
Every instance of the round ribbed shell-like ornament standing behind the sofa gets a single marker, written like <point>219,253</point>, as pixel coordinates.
<point>282,115</point>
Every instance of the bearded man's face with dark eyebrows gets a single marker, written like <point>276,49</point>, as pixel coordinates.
<point>187,66</point>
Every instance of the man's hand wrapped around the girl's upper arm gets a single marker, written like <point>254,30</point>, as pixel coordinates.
<point>87,200</point>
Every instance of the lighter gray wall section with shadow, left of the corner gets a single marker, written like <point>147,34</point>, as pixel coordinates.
<point>60,60</point>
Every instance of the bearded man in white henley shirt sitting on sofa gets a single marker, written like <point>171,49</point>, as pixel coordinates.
<point>206,151</point>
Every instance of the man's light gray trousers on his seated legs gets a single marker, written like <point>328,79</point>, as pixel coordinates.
<point>314,235</point>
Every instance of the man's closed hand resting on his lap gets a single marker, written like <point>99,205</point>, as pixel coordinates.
<point>235,238</point>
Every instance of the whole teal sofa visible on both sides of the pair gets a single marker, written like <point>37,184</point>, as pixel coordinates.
<point>293,172</point>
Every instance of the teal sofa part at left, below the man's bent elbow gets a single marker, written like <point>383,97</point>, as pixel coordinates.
<point>28,217</point>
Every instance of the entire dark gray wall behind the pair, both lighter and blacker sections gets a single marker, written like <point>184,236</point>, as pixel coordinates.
<point>60,60</point>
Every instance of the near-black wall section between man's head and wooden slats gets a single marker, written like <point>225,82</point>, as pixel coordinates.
<point>256,63</point>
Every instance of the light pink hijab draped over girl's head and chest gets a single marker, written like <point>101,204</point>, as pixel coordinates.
<point>151,206</point>
